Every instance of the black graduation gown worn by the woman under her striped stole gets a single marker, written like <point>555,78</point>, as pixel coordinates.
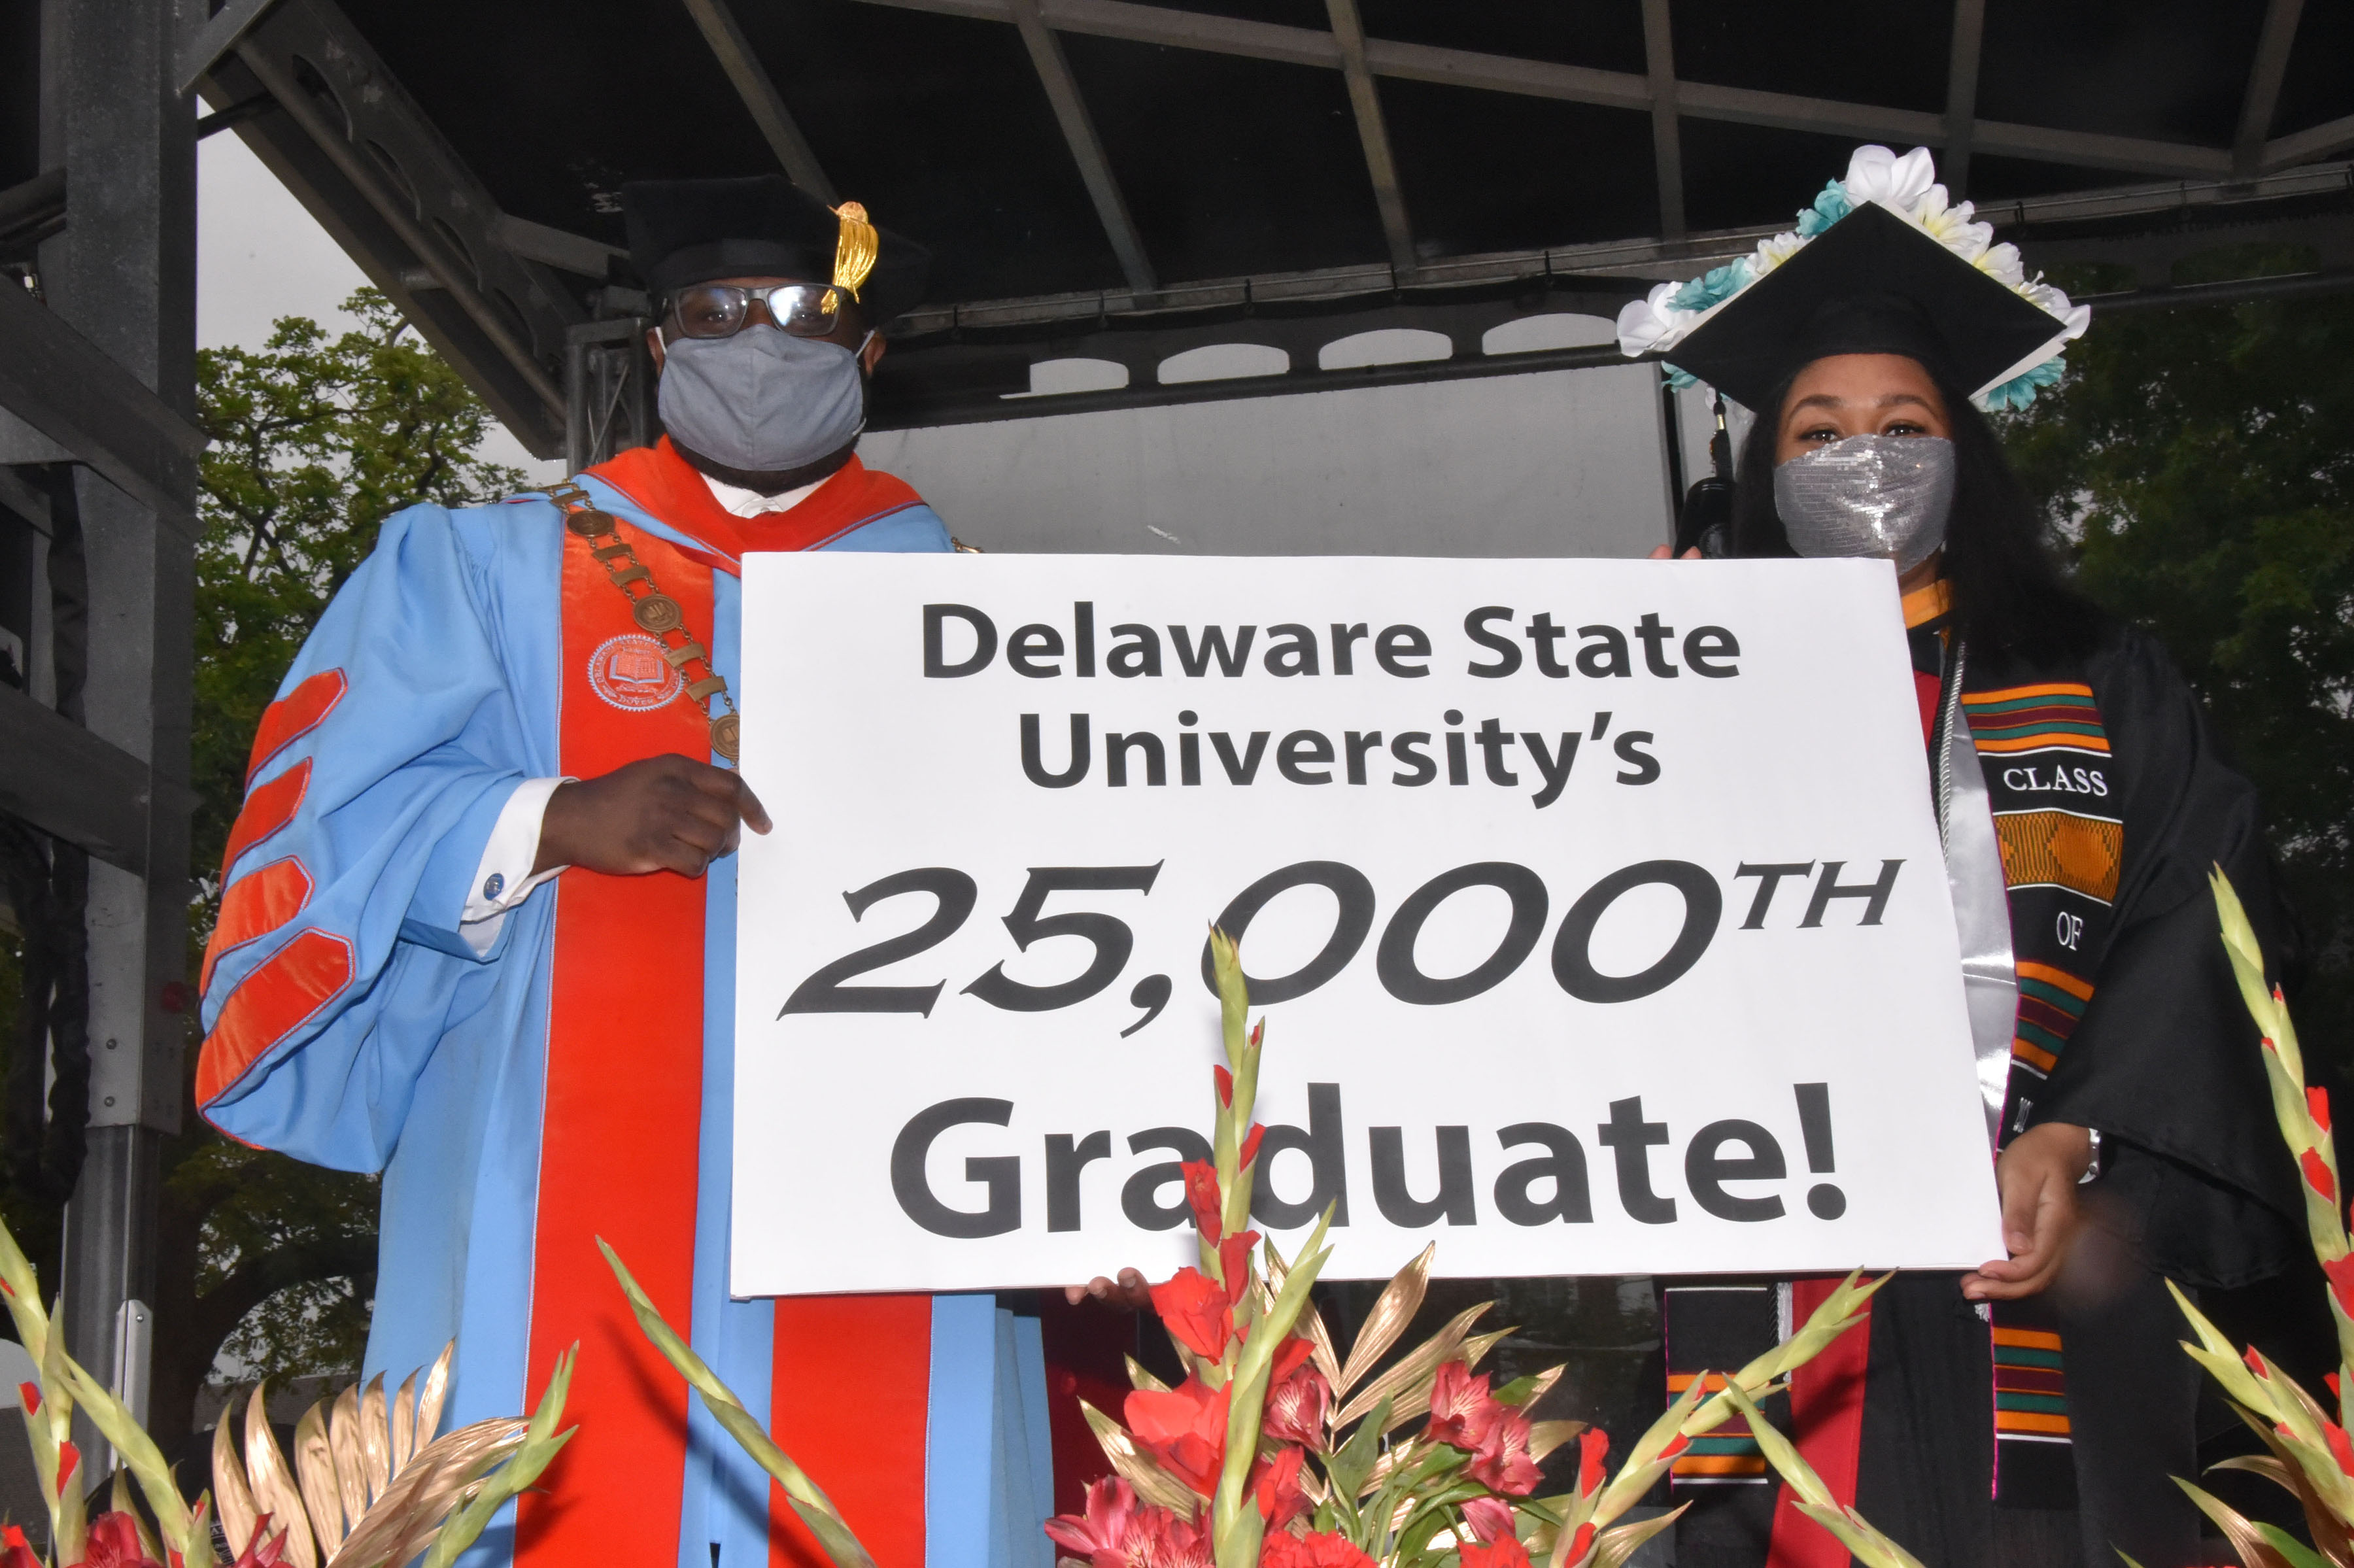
<point>2195,1181</point>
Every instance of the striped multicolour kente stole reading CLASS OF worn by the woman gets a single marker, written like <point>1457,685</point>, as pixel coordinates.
<point>2044,755</point>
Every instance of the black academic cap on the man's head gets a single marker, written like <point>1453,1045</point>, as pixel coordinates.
<point>764,227</point>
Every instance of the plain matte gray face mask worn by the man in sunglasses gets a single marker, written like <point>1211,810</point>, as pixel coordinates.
<point>764,401</point>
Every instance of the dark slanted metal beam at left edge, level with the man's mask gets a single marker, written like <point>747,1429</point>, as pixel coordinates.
<point>65,387</point>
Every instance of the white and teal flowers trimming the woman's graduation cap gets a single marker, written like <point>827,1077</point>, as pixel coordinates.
<point>1906,187</point>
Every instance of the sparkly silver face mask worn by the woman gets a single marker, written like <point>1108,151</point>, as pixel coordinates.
<point>1870,496</point>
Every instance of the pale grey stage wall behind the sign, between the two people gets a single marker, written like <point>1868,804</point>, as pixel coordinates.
<point>1564,463</point>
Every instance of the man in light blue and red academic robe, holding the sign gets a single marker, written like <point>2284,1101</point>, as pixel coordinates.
<point>479,931</point>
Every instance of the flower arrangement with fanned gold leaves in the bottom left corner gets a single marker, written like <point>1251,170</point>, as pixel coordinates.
<point>371,1484</point>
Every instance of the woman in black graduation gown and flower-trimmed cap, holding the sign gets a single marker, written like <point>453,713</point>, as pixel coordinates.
<point>2082,804</point>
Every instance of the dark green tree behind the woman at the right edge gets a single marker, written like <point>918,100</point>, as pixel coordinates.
<point>2200,463</point>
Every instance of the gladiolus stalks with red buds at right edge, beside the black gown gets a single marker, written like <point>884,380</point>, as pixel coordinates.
<point>2308,1449</point>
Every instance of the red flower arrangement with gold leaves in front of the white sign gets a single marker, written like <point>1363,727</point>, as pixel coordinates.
<point>1282,1454</point>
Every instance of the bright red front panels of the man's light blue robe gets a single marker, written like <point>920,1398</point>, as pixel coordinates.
<point>620,1162</point>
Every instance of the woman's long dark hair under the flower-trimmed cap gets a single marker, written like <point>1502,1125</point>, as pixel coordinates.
<point>2009,592</point>
